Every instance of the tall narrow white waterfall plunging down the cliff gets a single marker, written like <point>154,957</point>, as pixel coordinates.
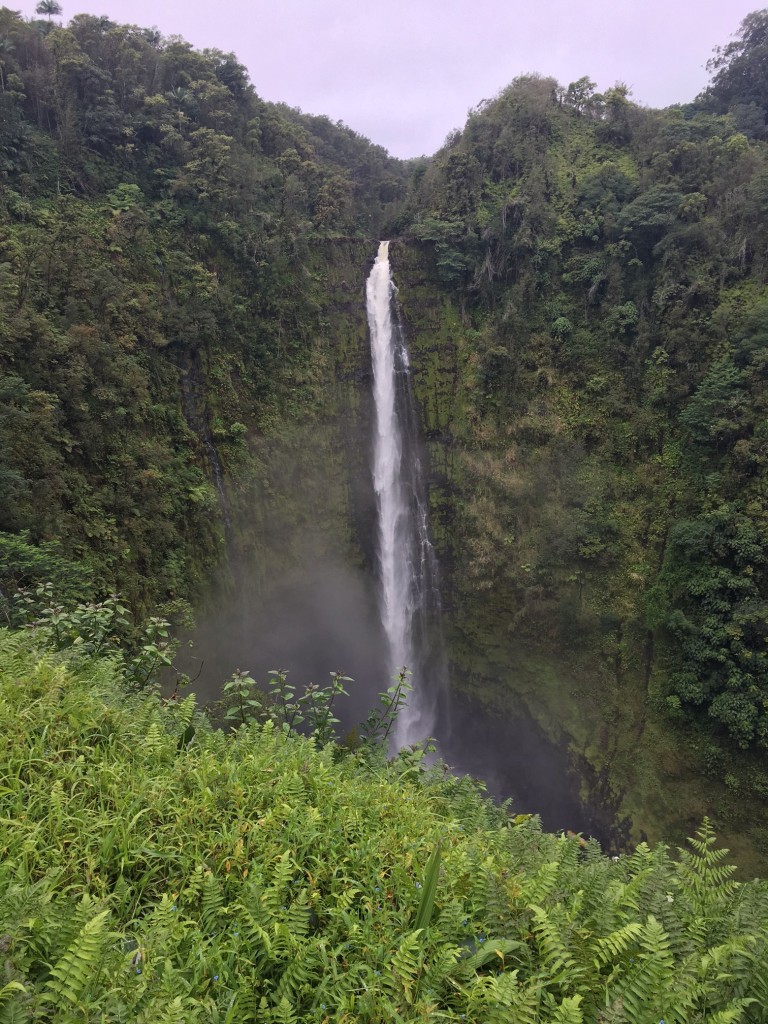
<point>409,588</point>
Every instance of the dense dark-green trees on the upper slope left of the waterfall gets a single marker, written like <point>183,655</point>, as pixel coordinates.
<point>163,241</point>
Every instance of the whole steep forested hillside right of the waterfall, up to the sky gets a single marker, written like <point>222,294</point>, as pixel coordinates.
<point>596,394</point>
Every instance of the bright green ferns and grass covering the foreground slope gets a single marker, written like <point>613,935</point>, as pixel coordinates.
<point>156,870</point>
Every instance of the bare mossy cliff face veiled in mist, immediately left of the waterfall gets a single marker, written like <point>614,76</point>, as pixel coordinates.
<point>297,587</point>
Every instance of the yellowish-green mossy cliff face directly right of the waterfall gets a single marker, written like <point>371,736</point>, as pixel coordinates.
<point>529,628</point>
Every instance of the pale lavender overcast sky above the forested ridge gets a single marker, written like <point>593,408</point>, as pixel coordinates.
<point>405,73</point>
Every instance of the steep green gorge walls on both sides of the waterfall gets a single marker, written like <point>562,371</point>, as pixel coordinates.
<point>187,396</point>
